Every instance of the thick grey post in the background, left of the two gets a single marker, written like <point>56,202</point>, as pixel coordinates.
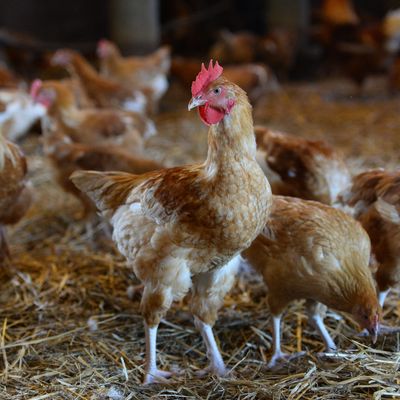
<point>134,24</point>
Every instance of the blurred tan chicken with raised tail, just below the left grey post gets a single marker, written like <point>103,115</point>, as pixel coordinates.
<point>147,73</point>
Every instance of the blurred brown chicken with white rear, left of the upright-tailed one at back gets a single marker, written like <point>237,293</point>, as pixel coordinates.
<point>104,92</point>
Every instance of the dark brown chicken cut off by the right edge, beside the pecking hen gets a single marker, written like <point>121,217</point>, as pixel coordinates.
<point>374,200</point>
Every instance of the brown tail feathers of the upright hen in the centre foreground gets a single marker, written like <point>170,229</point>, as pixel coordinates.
<point>108,190</point>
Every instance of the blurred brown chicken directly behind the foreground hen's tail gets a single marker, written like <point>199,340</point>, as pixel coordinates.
<point>67,157</point>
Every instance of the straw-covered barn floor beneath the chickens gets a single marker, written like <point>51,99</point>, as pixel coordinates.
<point>70,327</point>
